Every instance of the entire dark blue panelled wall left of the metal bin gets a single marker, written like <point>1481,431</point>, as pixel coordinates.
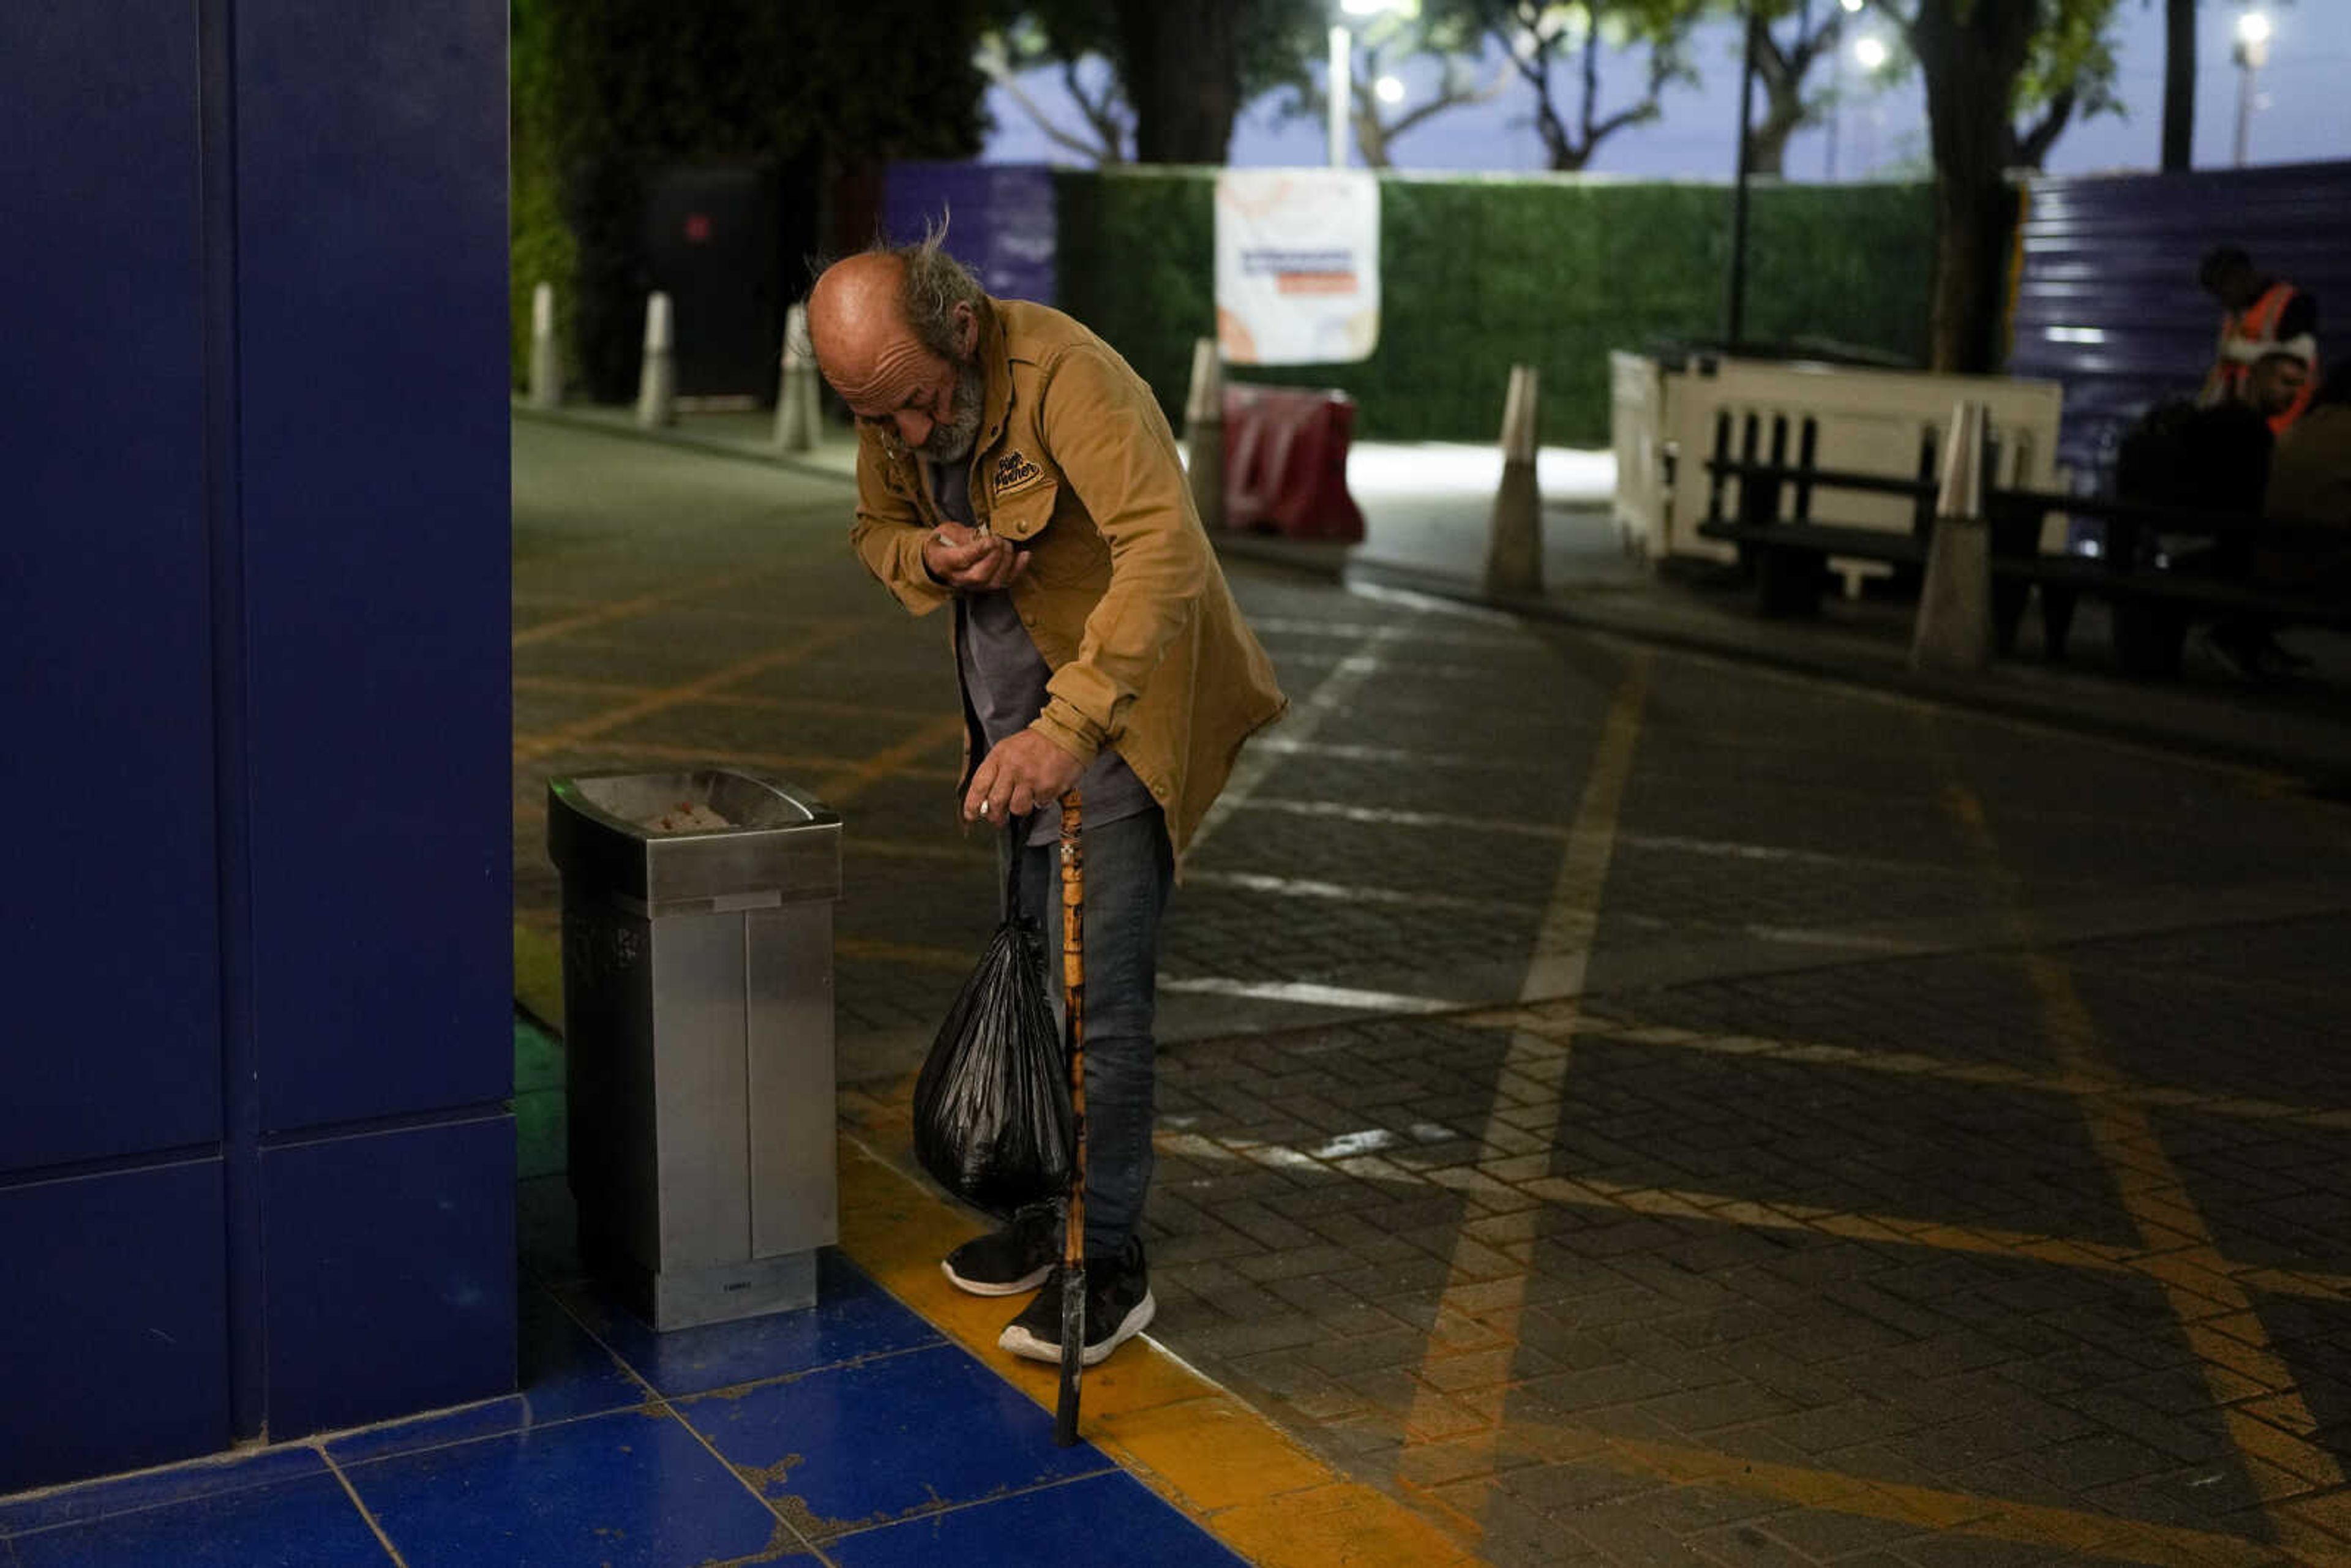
<point>255,1151</point>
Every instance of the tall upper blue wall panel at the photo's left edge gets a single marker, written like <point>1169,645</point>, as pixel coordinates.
<point>112,1043</point>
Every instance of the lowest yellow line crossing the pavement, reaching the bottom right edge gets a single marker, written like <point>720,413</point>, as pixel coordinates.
<point>1898,1503</point>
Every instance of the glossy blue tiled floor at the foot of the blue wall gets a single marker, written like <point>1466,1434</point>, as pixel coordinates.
<point>848,1435</point>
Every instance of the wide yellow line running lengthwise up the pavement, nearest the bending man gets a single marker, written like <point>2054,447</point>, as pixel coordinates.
<point>1485,1299</point>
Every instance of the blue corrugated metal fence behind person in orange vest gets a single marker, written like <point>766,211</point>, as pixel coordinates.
<point>2108,300</point>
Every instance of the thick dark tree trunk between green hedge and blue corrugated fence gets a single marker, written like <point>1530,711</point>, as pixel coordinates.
<point>1971,81</point>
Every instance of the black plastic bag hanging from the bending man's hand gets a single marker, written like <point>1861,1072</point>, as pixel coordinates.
<point>993,1115</point>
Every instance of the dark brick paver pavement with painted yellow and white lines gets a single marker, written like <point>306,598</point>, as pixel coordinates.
<point>1633,1106</point>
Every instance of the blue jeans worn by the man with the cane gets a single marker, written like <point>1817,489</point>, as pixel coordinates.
<point>1130,873</point>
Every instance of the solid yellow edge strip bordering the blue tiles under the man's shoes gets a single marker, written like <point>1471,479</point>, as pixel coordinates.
<point>1186,1438</point>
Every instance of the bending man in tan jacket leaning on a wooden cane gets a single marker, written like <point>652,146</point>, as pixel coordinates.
<point>1014,467</point>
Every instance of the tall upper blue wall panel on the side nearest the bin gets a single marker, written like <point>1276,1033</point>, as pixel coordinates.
<point>375,488</point>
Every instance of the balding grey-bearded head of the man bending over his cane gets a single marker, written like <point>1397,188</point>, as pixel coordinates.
<point>899,347</point>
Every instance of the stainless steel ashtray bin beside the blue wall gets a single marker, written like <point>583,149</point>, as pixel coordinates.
<point>699,1036</point>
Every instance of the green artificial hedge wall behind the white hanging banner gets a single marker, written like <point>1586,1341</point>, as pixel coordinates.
<point>1480,274</point>
